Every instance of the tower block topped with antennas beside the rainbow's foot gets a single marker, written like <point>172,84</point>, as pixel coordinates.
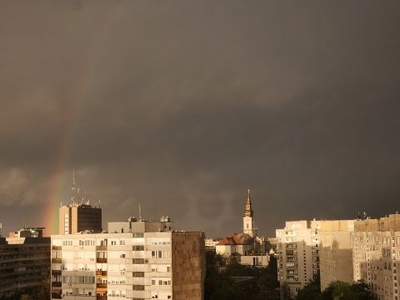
<point>79,215</point>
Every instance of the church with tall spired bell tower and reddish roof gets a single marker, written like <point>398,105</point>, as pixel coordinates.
<point>246,248</point>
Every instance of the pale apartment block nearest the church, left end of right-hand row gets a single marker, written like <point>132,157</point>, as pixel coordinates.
<point>297,254</point>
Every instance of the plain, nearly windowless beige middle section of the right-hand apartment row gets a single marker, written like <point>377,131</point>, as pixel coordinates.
<point>335,252</point>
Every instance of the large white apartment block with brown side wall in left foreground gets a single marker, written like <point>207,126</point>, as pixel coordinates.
<point>134,260</point>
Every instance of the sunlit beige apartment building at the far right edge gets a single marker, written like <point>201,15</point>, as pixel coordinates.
<point>376,255</point>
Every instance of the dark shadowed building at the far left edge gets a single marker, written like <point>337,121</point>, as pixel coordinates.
<point>24,261</point>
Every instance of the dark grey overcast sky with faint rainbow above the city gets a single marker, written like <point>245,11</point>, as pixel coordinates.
<point>181,106</point>
